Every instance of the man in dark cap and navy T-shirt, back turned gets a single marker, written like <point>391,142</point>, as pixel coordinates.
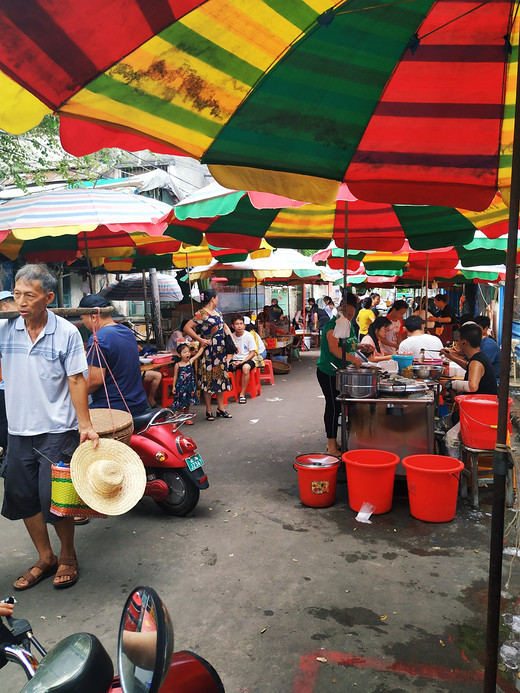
<point>113,361</point>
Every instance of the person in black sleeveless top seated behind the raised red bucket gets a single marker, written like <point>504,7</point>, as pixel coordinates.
<point>479,379</point>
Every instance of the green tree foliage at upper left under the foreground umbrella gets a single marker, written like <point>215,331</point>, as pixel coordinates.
<point>29,158</point>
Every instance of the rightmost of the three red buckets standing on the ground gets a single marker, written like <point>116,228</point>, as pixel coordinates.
<point>433,484</point>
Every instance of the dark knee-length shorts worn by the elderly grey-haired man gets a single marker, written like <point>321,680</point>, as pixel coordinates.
<point>28,473</point>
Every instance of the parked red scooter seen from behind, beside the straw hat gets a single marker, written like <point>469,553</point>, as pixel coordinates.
<point>173,468</point>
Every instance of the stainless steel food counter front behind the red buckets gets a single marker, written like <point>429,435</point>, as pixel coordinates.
<point>404,425</point>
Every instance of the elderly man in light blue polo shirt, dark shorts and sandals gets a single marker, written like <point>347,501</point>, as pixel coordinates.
<point>43,362</point>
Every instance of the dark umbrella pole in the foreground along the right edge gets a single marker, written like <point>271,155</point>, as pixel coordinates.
<point>501,457</point>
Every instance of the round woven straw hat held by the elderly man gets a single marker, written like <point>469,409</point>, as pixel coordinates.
<point>110,478</point>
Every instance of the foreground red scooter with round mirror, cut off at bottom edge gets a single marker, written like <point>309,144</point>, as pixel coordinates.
<point>80,664</point>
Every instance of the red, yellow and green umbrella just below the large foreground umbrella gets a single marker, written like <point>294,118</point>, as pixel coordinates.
<point>229,218</point>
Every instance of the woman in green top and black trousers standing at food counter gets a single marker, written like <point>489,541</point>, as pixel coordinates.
<point>331,353</point>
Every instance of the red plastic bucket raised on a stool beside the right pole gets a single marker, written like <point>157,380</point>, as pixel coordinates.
<point>478,420</point>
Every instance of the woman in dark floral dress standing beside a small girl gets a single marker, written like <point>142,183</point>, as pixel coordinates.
<point>213,377</point>
